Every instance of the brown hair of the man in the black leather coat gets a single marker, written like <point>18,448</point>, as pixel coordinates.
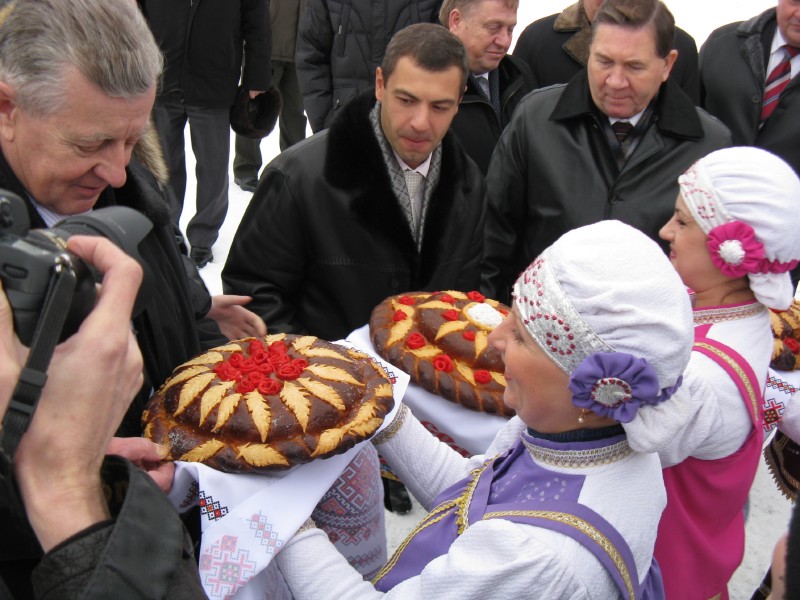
<point>635,14</point>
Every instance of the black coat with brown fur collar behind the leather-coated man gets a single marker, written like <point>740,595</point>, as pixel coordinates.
<point>557,47</point>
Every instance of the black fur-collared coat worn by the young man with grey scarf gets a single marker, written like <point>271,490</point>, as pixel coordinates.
<point>324,239</point>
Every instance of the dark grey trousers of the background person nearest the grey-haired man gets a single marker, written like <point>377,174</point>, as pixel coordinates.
<point>210,134</point>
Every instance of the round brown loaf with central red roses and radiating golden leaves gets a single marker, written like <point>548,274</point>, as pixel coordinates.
<point>266,404</point>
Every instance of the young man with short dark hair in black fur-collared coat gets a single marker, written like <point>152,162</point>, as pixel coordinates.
<point>383,202</point>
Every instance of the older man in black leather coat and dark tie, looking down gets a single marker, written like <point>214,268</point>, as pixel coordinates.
<point>610,144</point>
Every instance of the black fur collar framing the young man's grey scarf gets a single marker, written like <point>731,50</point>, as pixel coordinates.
<point>354,162</point>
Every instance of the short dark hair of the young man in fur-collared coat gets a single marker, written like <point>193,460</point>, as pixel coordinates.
<point>430,46</point>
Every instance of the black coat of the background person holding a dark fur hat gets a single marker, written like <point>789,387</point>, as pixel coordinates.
<point>204,42</point>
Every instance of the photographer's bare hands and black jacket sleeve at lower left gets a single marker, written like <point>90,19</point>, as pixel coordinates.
<point>133,545</point>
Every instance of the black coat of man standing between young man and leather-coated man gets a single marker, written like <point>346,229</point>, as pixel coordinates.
<point>476,123</point>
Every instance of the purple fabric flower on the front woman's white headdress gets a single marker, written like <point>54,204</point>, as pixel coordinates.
<point>616,384</point>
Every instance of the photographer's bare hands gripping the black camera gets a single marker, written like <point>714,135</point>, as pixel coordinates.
<point>92,378</point>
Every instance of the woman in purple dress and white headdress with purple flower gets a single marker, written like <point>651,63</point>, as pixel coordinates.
<point>560,506</point>
